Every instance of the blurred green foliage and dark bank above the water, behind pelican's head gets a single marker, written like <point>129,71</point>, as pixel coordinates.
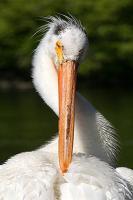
<point>108,23</point>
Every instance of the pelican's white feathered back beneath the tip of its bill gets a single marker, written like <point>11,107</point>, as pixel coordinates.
<point>38,177</point>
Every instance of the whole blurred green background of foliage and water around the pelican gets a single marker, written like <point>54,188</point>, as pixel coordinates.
<point>106,76</point>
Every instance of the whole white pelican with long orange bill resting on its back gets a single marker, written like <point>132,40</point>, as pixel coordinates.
<point>88,172</point>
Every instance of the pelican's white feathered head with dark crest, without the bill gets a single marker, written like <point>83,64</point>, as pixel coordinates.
<point>70,35</point>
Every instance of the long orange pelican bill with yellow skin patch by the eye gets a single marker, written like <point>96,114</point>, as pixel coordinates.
<point>67,75</point>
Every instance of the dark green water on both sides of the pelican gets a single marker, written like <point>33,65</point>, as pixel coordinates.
<point>26,122</point>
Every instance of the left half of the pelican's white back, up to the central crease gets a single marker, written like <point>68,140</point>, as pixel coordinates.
<point>28,176</point>
